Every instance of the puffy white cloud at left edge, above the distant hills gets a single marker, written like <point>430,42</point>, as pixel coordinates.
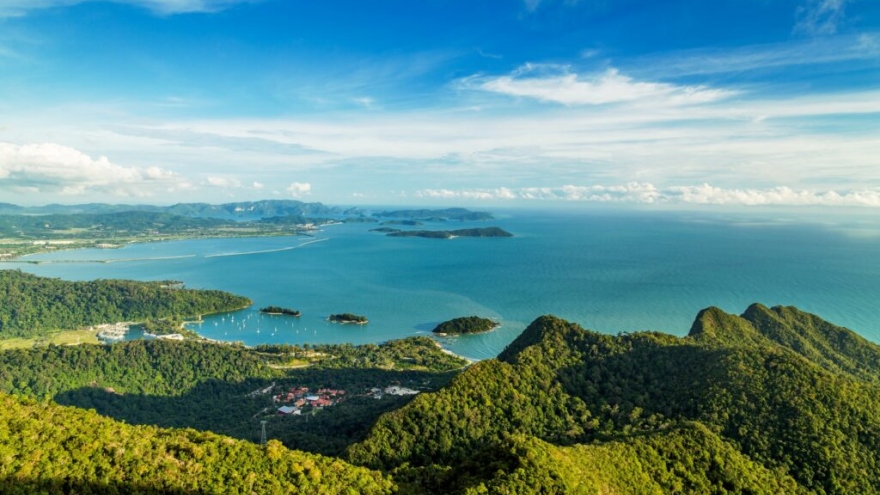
<point>54,168</point>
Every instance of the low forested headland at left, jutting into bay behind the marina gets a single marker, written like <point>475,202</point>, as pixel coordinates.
<point>33,306</point>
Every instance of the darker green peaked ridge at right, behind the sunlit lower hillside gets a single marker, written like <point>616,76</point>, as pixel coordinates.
<point>566,386</point>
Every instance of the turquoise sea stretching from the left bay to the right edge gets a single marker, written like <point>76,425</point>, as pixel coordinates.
<point>610,272</point>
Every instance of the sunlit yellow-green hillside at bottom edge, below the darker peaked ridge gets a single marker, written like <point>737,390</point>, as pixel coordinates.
<point>685,459</point>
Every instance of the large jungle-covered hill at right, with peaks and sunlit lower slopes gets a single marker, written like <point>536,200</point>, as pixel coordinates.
<point>773,401</point>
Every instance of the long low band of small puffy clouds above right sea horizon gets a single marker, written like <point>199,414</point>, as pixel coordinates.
<point>646,193</point>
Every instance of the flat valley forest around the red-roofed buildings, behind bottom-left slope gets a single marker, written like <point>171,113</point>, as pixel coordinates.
<point>210,386</point>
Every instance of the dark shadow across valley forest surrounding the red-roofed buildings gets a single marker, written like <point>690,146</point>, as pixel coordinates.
<point>233,409</point>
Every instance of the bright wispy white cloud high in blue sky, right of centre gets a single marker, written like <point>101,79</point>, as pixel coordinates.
<point>558,84</point>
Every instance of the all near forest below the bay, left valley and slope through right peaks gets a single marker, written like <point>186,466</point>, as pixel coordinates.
<point>772,401</point>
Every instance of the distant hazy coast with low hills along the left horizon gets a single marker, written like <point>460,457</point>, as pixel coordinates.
<point>40,229</point>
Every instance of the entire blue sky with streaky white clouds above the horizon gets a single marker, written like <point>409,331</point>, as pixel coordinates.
<point>446,102</point>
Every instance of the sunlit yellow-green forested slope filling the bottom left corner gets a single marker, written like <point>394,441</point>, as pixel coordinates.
<point>45,448</point>
